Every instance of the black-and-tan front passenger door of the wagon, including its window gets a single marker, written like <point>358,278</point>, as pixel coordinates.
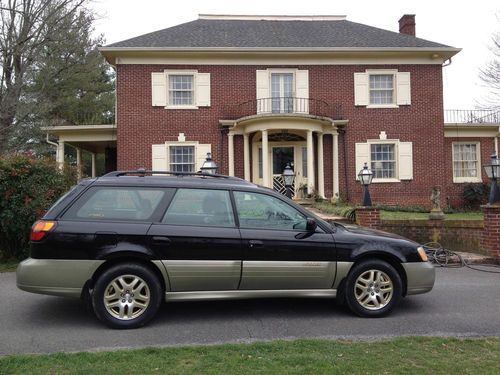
<point>277,251</point>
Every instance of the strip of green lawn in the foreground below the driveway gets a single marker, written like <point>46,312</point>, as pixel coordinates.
<point>396,356</point>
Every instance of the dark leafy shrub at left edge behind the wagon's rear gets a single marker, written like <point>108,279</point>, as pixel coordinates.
<point>28,187</point>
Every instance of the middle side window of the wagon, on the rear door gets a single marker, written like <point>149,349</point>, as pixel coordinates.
<point>200,207</point>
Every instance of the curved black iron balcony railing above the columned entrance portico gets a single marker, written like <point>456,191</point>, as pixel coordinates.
<point>282,105</point>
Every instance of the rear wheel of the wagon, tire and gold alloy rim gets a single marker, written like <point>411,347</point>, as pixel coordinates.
<point>126,296</point>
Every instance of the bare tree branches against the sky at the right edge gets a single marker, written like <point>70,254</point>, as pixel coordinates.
<point>490,75</point>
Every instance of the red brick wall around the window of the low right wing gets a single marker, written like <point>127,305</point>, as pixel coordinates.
<point>454,191</point>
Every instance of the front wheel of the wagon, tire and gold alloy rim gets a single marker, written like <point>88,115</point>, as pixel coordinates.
<point>373,288</point>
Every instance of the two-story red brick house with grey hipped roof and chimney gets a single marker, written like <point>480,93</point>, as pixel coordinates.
<point>320,93</point>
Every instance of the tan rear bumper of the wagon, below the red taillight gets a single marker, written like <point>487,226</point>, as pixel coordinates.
<point>57,277</point>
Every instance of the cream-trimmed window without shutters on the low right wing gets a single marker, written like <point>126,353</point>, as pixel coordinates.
<point>466,165</point>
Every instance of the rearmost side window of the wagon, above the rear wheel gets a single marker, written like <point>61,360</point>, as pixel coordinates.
<point>114,203</point>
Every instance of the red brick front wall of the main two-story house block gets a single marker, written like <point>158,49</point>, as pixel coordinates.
<point>140,125</point>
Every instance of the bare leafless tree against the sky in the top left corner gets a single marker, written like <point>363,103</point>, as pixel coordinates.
<point>26,26</point>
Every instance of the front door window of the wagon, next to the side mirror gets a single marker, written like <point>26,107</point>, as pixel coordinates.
<point>264,211</point>
